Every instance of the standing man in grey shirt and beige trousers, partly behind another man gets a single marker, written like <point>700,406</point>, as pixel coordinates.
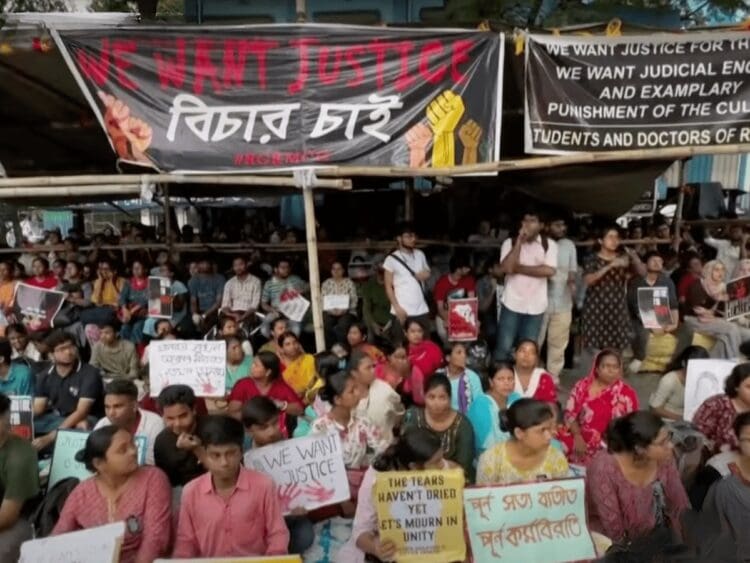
<point>560,291</point>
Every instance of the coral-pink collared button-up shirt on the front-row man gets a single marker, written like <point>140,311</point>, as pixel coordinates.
<point>249,523</point>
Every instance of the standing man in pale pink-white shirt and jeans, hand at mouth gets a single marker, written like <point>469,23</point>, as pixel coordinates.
<point>528,262</point>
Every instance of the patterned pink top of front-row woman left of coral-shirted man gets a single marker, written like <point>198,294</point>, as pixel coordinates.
<point>145,507</point>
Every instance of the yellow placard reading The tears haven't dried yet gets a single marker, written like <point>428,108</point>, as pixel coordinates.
<point>421,512</point>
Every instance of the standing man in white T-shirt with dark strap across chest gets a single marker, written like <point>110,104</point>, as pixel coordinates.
<point>406,270</point>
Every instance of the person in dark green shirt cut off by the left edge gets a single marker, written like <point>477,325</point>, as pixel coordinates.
<point>19,484</point>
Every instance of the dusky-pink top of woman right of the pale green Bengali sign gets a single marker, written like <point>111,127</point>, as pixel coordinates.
<point>619,509</point>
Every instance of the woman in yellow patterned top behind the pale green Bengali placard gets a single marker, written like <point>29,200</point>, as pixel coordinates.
<point>529,454</point>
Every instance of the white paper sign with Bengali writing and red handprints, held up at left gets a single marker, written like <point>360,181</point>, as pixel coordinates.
<point>199,364</point>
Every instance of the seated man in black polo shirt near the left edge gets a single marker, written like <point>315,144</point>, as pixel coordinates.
<point>69,394</point>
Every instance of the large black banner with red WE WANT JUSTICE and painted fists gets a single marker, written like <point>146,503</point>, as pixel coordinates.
<point>285,96</point>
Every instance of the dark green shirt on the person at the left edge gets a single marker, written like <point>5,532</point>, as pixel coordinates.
<point>19,474</point>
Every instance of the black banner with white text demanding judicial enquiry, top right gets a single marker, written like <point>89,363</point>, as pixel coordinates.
<point>609,94</point>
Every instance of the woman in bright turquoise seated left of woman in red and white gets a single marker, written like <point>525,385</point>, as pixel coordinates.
<point>484,412</point>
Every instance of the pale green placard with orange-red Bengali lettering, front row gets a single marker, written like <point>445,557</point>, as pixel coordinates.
<point>543,521</point>
